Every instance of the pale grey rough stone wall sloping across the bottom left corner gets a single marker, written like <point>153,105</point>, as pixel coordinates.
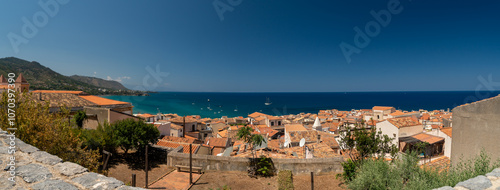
<point>30,168</point>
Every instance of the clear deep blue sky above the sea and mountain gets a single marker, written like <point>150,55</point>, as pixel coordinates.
<point>279,45</point>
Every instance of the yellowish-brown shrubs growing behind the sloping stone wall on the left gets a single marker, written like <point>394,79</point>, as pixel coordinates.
<point>50,132</point>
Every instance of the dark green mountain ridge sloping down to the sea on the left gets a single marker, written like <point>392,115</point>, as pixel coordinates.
<point>44,78</point>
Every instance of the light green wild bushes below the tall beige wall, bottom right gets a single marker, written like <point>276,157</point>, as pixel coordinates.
<point>405,173</point>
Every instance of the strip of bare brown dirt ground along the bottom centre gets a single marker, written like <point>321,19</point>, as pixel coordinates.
<point>240,180</point>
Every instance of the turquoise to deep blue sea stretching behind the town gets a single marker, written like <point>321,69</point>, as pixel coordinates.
<point>241,104</point>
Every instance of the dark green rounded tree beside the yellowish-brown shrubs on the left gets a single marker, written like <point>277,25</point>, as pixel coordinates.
<point>135,134</point>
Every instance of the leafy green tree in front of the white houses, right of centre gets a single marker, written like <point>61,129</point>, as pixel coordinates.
<point>361,144</point>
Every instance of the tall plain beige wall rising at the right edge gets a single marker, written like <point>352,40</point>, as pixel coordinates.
<point>476,126</point>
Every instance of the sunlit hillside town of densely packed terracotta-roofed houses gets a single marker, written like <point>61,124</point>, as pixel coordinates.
<point>293,136</point>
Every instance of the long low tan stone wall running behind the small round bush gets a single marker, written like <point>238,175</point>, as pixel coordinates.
<point>221,163</point>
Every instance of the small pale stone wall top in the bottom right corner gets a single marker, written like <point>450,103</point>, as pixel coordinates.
<point>489,181</point>
